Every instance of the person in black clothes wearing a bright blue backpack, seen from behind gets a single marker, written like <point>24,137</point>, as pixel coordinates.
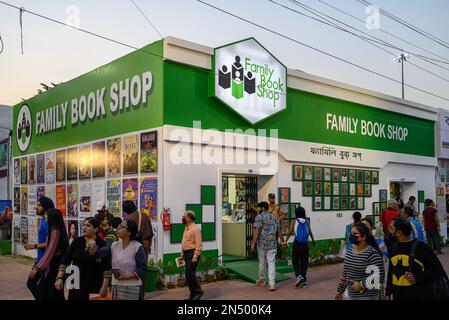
<point>300,250</point>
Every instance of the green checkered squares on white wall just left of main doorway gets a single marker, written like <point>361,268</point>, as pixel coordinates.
<point>205,217</point>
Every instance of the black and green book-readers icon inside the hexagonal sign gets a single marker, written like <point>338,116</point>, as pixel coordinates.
<point>236,79</point>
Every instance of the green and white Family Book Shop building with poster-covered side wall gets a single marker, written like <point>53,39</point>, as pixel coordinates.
<point>181,126</point>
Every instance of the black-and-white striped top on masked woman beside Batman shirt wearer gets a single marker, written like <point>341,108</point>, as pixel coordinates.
<point>365,266</point>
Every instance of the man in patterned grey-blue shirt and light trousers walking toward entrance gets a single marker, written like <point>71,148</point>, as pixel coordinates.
<point>266,231</point>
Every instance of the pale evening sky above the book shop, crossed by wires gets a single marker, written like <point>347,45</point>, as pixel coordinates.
<point>55,53</point>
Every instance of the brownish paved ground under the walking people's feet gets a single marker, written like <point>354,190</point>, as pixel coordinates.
<point>322,284</point>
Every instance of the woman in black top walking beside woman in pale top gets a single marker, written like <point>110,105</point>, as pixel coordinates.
<point>94,273</point>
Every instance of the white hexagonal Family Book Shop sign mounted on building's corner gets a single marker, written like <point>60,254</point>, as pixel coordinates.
<point>250,80</point>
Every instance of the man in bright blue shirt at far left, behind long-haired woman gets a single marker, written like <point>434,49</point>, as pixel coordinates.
<point>43,205</point>
